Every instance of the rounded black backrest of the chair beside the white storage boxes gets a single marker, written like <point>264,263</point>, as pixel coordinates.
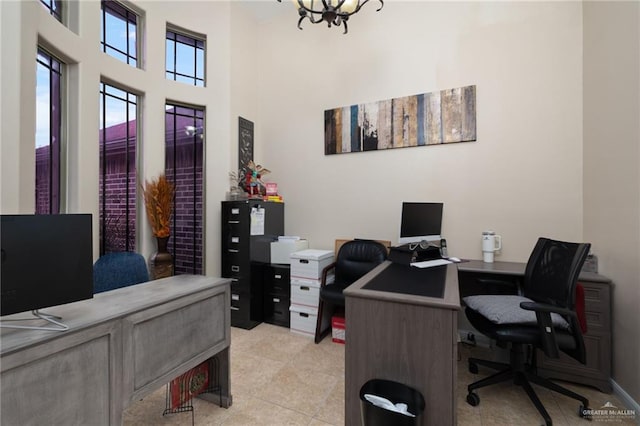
<point>356,258</point>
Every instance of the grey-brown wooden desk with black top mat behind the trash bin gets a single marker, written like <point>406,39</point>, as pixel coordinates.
<point>406,338</point>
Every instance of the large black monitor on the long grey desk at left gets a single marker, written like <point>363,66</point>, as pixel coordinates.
<point>46,260</point>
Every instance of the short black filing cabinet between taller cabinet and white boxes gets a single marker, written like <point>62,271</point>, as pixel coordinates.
<point>277,294</point>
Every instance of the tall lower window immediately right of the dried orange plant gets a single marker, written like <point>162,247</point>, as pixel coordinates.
<point>184,166</point>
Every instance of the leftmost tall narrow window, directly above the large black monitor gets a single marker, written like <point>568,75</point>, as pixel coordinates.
<point>48,132</point>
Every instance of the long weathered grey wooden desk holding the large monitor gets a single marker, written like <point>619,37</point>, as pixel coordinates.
<point>122,345</point>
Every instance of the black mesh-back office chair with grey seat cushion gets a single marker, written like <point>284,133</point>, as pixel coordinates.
<point>544,317</point>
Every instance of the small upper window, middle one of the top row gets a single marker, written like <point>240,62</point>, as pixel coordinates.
<point>119,32</point>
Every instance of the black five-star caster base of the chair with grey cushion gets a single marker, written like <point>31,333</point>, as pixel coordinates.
<point>522,374</point>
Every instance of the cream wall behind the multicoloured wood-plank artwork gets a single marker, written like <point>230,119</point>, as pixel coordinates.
<point>523,175</point>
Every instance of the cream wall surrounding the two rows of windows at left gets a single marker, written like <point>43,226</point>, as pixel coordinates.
<point>23,23</point>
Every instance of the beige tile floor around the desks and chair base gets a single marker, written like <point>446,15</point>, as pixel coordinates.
<point>280,378</point>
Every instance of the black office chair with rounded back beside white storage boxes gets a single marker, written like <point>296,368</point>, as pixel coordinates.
<point>355,258</point>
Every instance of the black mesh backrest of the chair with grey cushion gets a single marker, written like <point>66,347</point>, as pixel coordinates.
<point>551,277</point>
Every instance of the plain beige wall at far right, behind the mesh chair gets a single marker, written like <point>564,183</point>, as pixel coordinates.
<point>612,169</point>
